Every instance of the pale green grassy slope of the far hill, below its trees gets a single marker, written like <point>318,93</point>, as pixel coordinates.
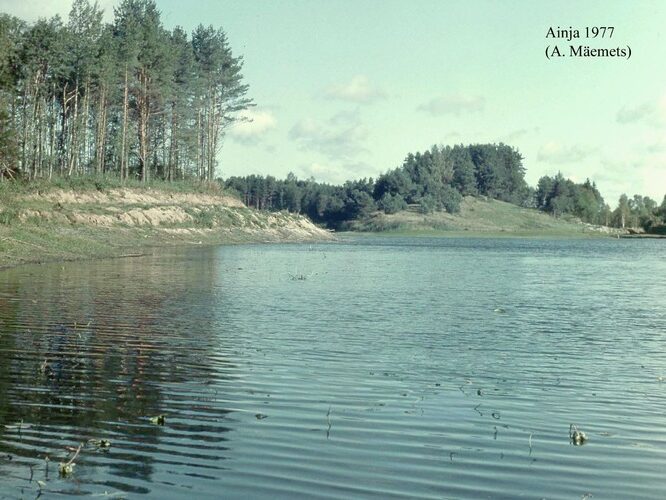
<point>480,217</point>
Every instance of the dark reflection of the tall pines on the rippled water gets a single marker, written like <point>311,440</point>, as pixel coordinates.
<point>92,351</point>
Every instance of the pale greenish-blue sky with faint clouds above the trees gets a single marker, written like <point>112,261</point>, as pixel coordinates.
<point>345,89</point>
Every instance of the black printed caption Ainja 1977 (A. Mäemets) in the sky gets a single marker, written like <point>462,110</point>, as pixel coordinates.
<point>597,43</point>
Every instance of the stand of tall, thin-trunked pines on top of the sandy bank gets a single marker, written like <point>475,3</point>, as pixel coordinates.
<point>129,98</point>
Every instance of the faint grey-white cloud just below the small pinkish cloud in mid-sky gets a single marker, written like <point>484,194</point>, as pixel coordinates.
<point>341,136</point>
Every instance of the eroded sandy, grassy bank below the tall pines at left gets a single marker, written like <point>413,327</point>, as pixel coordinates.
<point>97,218</point>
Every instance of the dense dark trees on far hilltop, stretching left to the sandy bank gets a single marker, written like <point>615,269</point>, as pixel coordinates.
<point>435,180</point>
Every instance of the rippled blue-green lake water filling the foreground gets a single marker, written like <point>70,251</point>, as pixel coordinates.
<point>397,367</point>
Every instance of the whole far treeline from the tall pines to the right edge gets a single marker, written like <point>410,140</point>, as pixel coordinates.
<point>437,180</point>
